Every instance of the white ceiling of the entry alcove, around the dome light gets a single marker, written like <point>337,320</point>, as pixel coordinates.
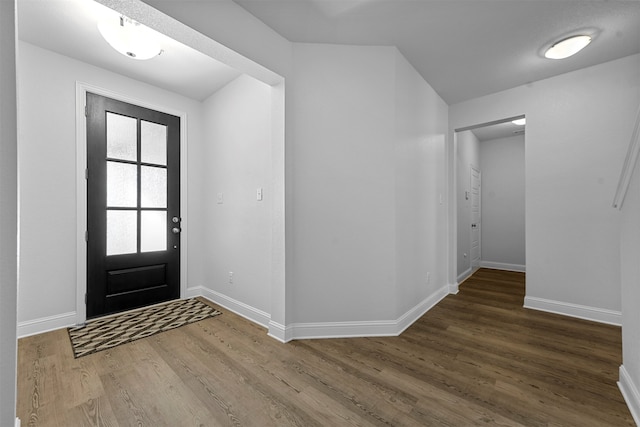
<point>69,27</point>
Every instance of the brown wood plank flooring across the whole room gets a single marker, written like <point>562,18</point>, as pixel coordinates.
<point>477,358</point>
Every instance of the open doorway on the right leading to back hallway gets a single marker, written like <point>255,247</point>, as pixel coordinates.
<point>490,215</point>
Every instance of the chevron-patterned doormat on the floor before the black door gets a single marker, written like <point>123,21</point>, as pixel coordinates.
<point>108,332</point>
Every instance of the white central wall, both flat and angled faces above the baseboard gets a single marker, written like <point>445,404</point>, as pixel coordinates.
<point>368,171</point>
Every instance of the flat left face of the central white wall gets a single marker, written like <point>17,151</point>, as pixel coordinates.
<point>343,183</point>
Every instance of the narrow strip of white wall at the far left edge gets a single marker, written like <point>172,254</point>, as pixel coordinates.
<point>8,214</point>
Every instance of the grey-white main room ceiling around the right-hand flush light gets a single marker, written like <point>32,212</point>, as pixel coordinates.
<point>464,48</point>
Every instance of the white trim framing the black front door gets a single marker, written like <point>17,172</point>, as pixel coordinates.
<point>81,188</point>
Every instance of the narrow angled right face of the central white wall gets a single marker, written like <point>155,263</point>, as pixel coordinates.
<point>420,182</point>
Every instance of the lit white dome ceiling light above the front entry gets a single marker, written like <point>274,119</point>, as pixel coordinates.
<point>130,38</point>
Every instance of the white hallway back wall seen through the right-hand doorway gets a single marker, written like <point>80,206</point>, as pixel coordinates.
<point>503,197</point>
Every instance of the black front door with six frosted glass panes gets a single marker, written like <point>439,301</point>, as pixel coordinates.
<point>133,206</point>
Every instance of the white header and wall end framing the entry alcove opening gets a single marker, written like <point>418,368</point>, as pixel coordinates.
<point>265,53</point>
